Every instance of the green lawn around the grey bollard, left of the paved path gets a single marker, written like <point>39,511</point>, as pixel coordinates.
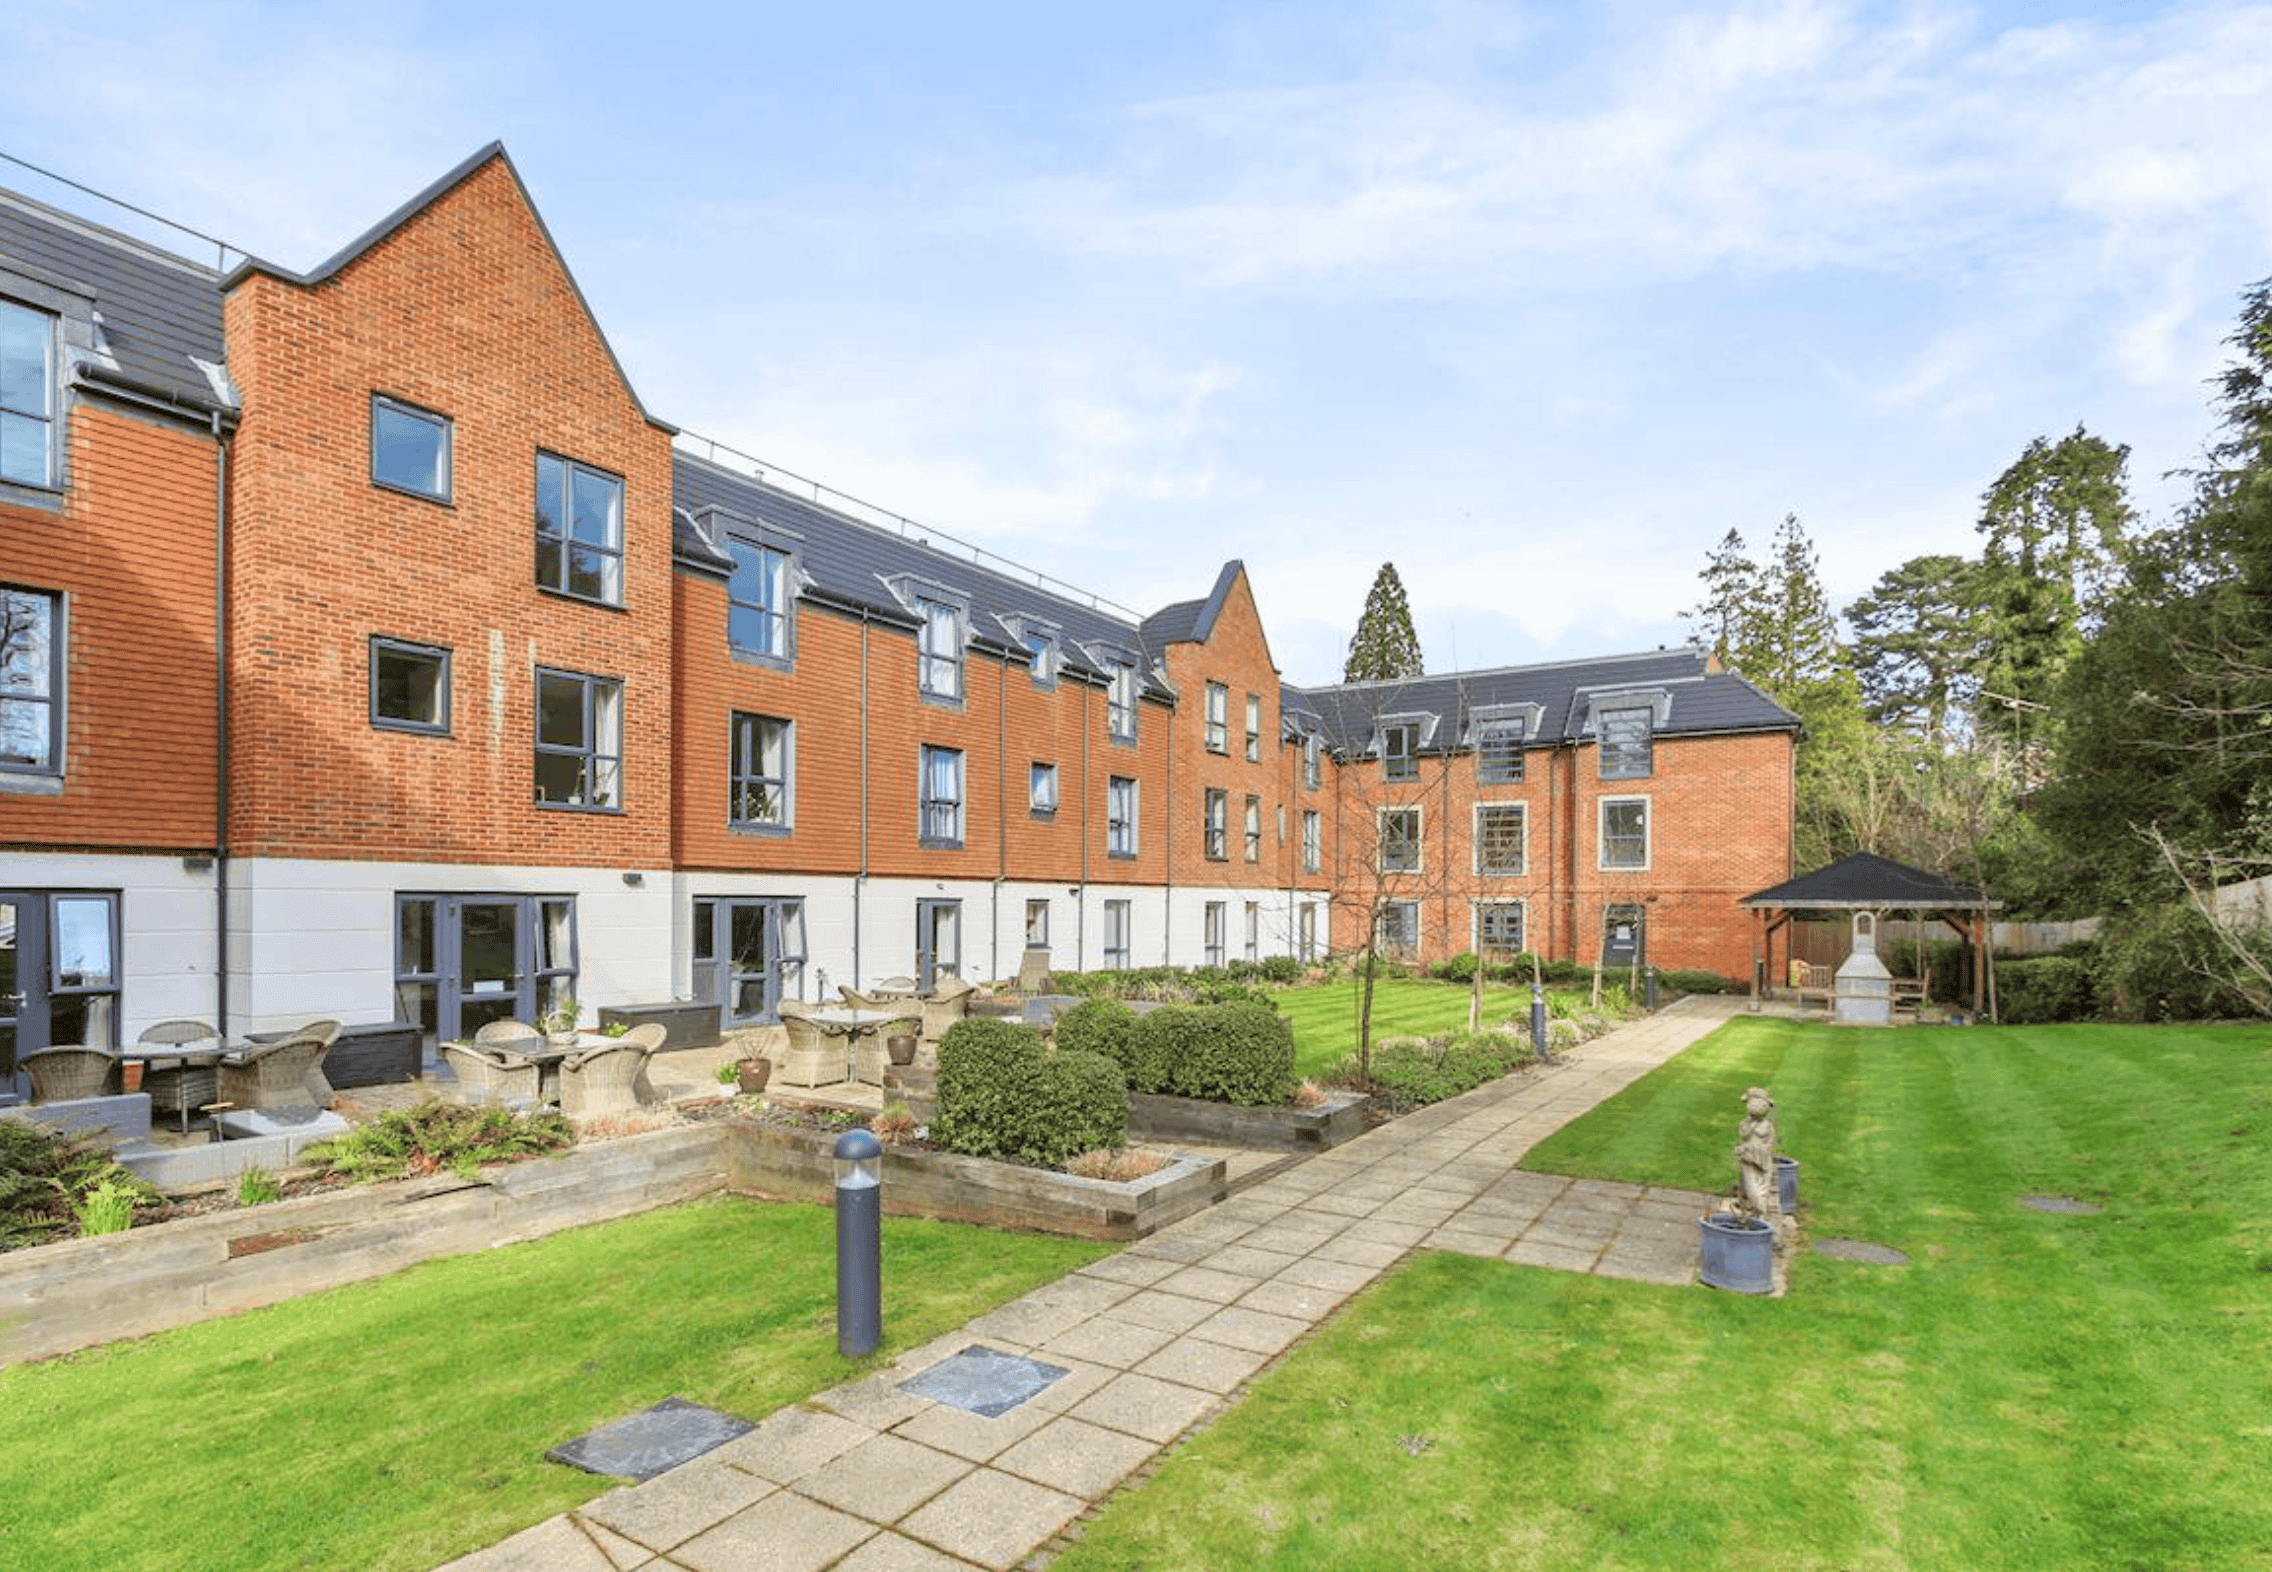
<point>403,1423</point>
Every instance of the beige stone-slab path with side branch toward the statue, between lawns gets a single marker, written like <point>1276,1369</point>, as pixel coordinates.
<point>1158,1337</point>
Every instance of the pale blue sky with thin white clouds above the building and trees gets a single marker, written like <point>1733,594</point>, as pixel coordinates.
<point>1532,301</point>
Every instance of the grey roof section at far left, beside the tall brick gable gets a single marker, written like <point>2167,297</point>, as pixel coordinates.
<point>158,317</point>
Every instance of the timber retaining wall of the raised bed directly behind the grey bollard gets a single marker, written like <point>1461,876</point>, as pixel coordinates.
<point>919,1182</point>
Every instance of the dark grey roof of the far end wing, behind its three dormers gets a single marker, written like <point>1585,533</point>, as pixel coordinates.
<point>1555,696</point>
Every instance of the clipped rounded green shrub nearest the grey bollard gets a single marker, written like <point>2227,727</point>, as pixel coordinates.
<point>1001,1094</point>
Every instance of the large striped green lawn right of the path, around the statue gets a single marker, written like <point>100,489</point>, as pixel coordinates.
<point>2032,1391</point>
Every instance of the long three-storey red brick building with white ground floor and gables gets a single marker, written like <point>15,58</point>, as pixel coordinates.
<point>381,655</point>
